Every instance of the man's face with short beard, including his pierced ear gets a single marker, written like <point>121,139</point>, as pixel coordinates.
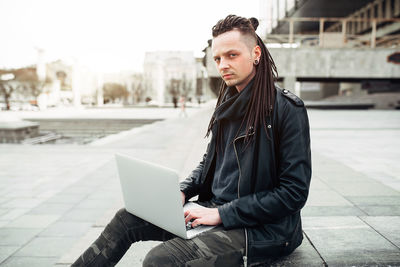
<point>234,57</point>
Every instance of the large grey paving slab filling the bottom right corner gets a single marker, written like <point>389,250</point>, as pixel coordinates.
<point>349,241</point>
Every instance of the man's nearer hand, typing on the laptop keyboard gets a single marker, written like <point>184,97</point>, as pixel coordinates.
<point>205,216</point>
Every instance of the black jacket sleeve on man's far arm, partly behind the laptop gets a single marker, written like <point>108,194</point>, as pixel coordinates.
<point>191,185</point>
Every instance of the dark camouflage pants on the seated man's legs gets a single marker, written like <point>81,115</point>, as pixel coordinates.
<point>216,247</point>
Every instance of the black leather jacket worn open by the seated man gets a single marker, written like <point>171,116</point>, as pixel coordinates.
<point>273,184</point>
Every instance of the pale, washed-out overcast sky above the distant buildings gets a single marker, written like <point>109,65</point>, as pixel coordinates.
<point>108,36</point>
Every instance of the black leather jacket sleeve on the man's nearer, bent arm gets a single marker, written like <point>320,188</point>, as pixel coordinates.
<point>294,174</point>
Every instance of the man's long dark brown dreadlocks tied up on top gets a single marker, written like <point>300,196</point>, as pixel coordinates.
<point>263,91</point>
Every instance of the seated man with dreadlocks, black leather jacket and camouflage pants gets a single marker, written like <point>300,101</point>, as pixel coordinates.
<point>254,177</point>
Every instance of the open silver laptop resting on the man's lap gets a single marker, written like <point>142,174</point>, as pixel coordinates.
<point>152,193</point>
